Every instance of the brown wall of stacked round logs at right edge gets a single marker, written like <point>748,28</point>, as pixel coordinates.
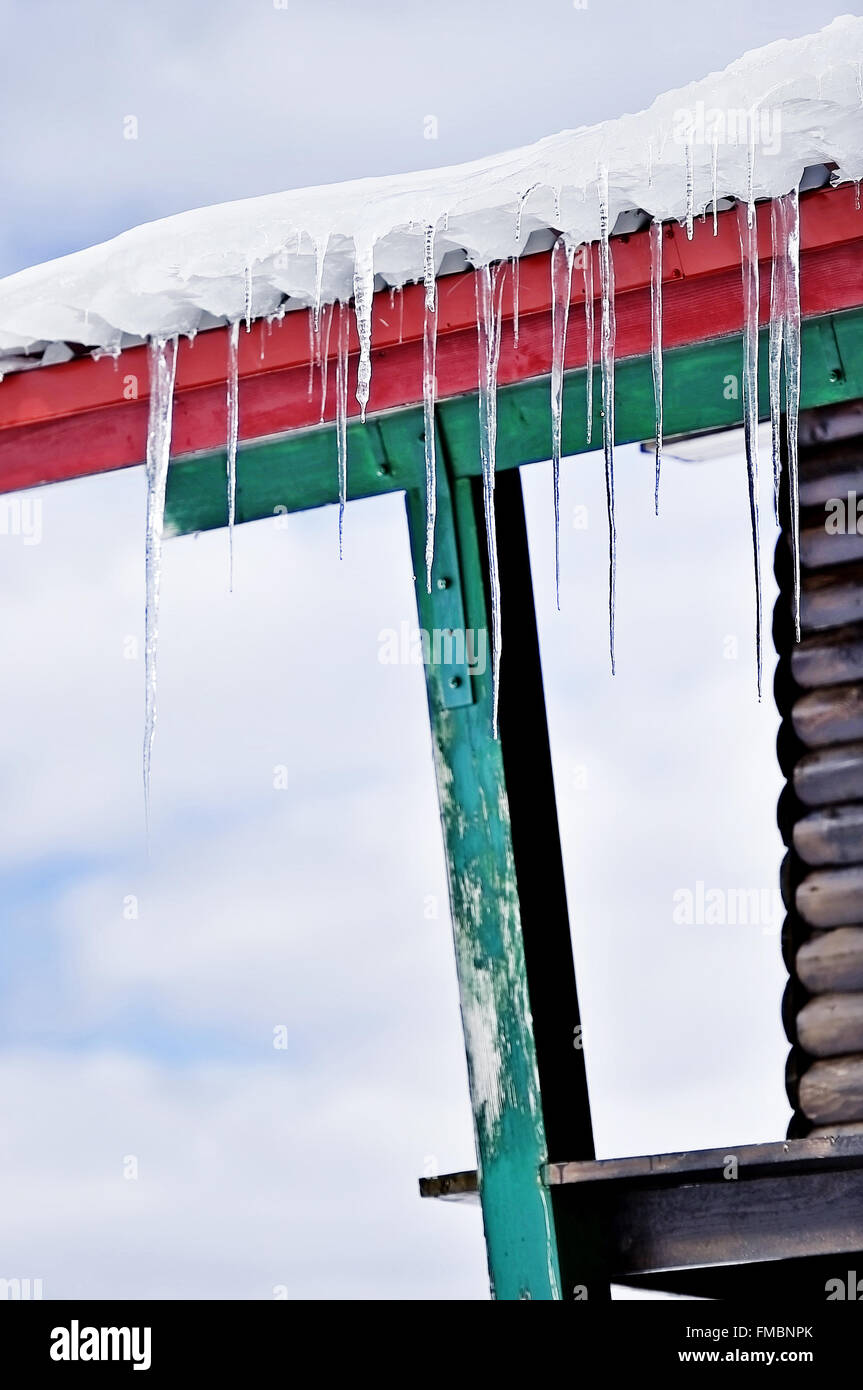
<point>819,692</point>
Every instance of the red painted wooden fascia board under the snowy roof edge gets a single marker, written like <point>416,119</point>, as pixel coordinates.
<point>91,416</point>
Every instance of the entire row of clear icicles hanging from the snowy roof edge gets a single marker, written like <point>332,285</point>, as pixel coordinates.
<point>784,352</point>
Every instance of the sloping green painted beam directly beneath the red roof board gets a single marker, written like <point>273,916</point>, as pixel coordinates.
<point>702,391</point>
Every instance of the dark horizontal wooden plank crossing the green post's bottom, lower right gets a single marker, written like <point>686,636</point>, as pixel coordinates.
<point>715,1207</point>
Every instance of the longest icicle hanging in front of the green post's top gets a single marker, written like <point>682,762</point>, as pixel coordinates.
<point>488,329</point>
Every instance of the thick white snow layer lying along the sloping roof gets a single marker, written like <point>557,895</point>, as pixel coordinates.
<point>748,131</point>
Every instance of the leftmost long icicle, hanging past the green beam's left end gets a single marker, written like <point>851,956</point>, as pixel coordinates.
<point>163,372</point>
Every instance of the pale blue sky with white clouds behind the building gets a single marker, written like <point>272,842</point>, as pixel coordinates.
<point>140,1000</point>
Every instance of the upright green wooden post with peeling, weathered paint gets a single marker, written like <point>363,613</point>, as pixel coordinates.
<point>487,925</point>
